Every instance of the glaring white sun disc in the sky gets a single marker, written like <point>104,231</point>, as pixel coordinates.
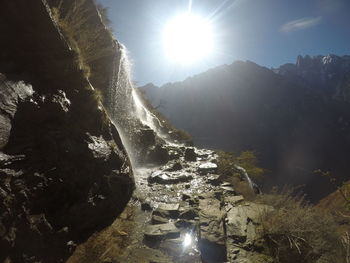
<point>187,38</point>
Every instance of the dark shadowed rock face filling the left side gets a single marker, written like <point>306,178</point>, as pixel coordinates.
<point>64,172</point>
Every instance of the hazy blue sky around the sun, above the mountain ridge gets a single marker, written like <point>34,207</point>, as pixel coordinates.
<point>268,32</point>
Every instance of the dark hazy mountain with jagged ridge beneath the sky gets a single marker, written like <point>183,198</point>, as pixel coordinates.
<point>296,117</point>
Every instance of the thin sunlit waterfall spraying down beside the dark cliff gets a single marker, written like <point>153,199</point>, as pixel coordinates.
<point>126,107</point>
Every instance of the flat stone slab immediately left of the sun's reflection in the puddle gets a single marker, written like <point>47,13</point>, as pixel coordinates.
<point>161,231</point>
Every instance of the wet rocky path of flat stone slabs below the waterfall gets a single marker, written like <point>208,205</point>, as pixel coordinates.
<point>182,212</point>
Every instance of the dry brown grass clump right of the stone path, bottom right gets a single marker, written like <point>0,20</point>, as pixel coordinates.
<point>296,231</point>
